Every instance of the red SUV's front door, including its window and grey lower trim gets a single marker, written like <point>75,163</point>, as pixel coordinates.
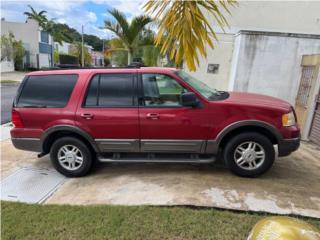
<point>166,125</point>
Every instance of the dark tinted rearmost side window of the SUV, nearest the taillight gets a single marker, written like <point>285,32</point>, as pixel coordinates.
<point>52,91</point>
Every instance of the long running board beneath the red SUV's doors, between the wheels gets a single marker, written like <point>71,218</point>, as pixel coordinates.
<point>155,160</point>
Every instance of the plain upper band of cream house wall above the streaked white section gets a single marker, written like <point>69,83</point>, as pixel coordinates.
<point>274,16</point>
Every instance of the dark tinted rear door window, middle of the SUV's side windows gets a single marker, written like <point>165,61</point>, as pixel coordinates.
<point>111,90</point>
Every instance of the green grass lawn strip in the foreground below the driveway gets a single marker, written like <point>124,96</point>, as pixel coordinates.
<point>23,221</point>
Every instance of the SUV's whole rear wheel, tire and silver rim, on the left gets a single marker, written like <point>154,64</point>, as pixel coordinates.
<point>71,157</point>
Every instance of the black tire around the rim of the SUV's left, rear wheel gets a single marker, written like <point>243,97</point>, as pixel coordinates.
<point>85,152</point>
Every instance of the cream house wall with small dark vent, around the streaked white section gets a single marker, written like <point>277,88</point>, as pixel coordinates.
<point>273,16</point>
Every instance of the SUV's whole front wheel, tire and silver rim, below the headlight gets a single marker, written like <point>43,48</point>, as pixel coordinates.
<point>249,154</point>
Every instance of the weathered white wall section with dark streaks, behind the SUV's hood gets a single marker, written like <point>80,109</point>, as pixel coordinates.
<point>270,64</point>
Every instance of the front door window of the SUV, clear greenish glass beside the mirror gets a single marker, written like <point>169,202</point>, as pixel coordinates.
<point>161,90</point>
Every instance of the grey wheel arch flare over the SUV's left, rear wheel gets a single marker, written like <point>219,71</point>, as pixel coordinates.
<point>51,134</point>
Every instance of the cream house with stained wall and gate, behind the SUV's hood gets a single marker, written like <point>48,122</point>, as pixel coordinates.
<point>265,51</point>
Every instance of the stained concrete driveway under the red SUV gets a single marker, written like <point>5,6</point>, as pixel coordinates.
<point>290,187</point>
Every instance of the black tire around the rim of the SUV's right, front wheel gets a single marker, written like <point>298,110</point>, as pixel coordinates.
<point>234,142</point>
